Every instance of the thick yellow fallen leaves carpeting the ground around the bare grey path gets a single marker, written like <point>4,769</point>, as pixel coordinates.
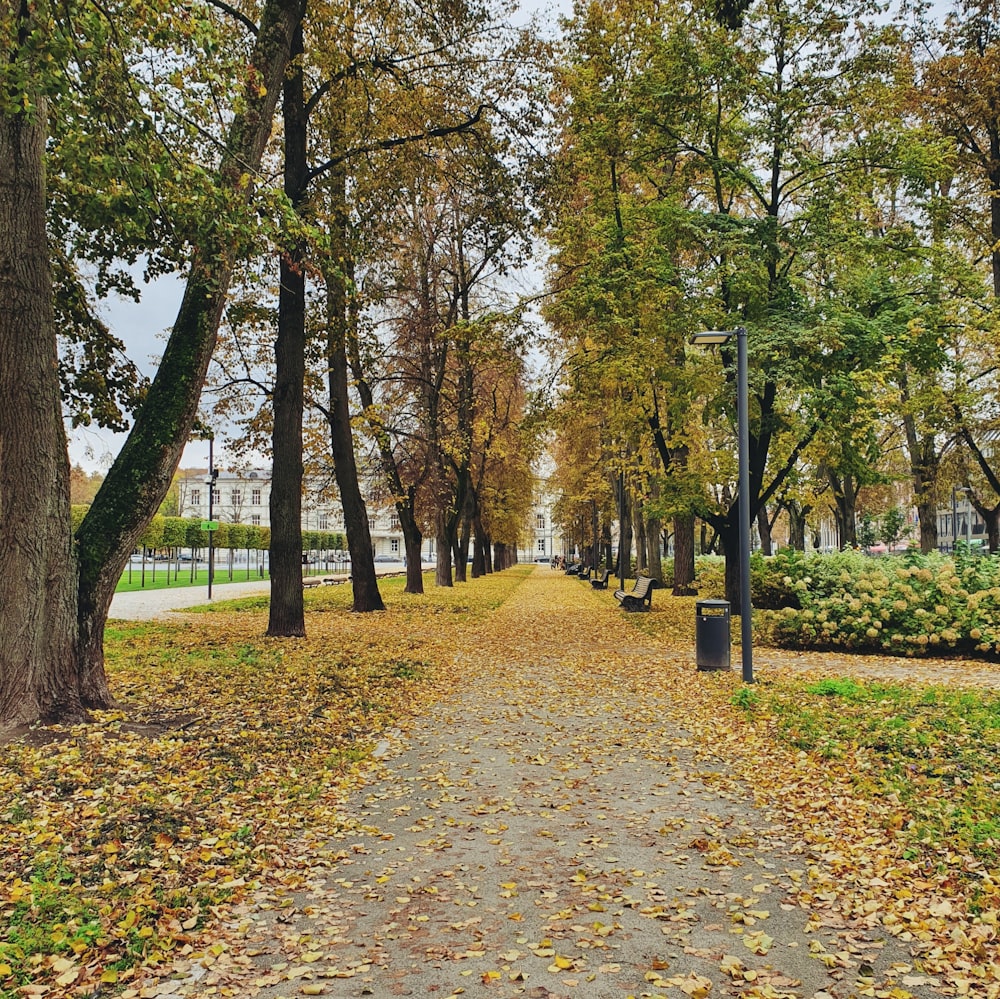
<point>130,843</point>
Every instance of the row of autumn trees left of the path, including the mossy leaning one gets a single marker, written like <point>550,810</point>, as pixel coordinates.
<point>360,290</point>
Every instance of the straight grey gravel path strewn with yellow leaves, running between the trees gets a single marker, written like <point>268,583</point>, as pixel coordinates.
<point>535,836</point>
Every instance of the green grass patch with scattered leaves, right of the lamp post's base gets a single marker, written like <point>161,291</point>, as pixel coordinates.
<point>934,748</point>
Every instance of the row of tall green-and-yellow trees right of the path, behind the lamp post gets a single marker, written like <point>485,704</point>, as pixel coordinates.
<point>828,178</point>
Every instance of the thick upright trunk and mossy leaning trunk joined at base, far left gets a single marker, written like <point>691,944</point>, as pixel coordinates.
<point>51,659</point>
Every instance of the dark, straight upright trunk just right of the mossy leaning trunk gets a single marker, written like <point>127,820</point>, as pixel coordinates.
<point>286,615</point>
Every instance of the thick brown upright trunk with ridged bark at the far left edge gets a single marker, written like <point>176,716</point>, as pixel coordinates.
<point>38,573</point>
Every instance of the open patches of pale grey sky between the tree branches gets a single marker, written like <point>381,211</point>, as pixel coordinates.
<point>143,326</point>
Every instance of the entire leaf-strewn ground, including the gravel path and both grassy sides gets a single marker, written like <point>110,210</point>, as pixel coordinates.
<point>510,787</point>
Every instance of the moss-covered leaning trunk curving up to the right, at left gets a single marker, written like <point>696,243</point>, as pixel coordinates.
<point>140,477</point>
